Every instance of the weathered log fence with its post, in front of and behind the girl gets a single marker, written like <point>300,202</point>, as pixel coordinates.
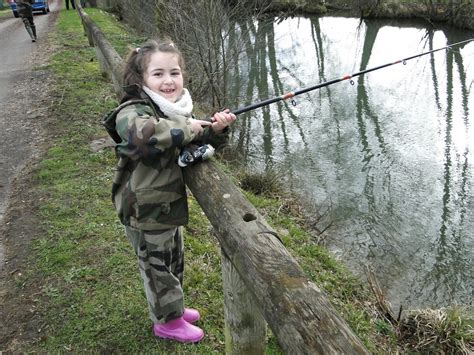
<point>263,283</point>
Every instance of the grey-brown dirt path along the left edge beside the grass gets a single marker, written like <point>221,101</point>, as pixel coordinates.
<point>24,118</point>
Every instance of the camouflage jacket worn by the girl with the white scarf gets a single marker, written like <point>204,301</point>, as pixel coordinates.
<point>148,188</point>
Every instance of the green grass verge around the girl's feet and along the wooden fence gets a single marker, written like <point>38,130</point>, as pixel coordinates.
<point>93,298</point>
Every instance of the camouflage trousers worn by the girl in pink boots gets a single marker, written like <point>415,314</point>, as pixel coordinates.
<point>161,263</point>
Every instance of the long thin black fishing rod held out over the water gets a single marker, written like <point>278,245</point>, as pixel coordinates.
<point>291,94</point>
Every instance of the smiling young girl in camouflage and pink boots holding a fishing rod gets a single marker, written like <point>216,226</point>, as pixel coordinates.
<point>150,126</point>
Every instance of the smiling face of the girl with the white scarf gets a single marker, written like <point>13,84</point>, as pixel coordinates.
<point>163,75</point>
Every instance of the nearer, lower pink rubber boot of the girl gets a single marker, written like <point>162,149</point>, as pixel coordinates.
<point>180,330</point>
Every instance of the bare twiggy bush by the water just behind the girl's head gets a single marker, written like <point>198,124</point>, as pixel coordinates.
<point>210,37</point>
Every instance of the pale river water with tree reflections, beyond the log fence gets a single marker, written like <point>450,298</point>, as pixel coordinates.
<point>387,162</point>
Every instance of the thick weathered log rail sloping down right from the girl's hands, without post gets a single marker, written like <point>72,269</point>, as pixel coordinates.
<point>297,311</point>
